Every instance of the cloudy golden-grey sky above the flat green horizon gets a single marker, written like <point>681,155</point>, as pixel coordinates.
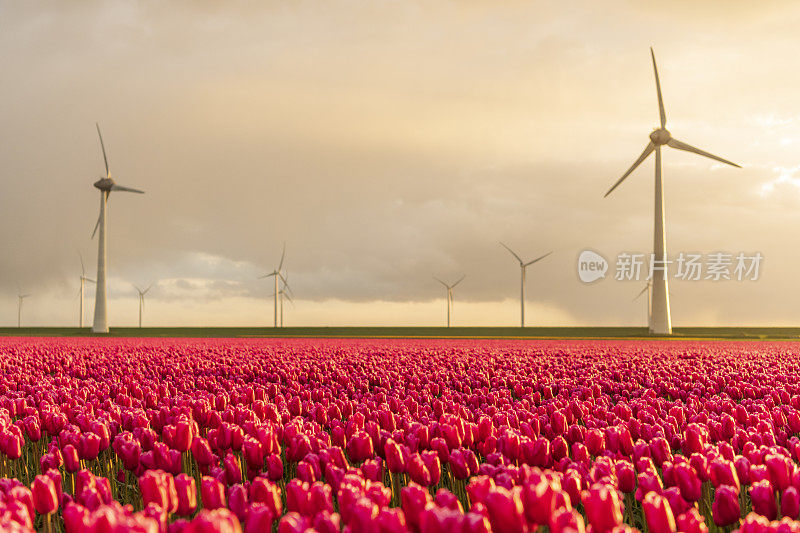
<point>387,143</point>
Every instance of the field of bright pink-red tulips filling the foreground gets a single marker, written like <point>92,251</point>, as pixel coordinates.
<point>388,436</point>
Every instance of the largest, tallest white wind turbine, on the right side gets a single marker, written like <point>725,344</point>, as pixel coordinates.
<point>661,323</point>
